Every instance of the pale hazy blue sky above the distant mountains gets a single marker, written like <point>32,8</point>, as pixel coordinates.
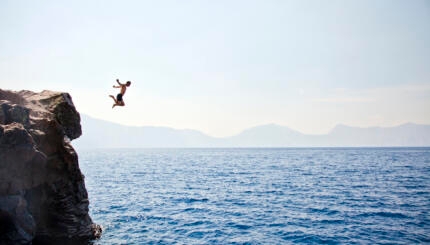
<point>223,66</point>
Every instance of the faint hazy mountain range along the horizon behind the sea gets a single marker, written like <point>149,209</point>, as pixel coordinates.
<point>103,134</point>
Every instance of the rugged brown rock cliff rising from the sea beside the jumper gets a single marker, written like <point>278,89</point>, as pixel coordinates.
<point>43,199</point>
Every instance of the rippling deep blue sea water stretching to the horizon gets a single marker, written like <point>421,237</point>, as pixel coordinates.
<point>259,196</point>
